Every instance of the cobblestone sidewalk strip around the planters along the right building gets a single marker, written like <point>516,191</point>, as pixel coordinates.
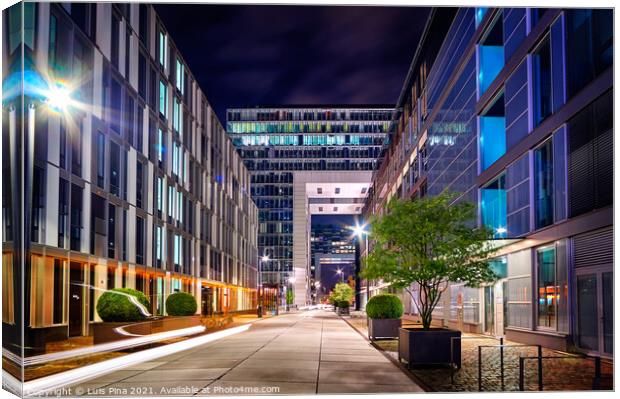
<point>558,374</point>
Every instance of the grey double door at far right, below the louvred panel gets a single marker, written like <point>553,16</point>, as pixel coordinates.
<point>595,311</point>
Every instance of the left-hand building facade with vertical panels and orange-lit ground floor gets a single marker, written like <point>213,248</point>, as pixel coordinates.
<point>135,184</point>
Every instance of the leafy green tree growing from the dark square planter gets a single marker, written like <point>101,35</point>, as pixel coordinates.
<point>430,242</point>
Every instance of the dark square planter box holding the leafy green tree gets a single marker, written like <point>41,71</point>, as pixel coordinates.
<point>424,347</point>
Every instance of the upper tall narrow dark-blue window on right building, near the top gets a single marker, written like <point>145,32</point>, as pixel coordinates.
<point>541,84</point>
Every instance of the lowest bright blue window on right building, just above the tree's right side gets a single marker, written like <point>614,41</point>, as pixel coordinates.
<point>493,206</point>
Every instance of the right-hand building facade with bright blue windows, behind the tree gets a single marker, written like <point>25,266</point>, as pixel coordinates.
<point>520,123</point>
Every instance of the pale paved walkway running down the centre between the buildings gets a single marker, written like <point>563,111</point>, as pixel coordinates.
<point>300,353</point>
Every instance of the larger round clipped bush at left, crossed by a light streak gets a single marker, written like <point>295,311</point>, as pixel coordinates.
<point>123,304</point>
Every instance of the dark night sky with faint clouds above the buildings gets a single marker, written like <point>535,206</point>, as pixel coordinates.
<point>271,55</point>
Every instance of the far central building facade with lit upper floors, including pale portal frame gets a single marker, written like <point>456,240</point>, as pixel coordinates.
<point>305,160</point>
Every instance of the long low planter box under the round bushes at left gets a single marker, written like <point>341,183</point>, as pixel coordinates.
<point>107,331</point>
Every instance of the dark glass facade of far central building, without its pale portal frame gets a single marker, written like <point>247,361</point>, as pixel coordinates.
<point>276,143</point>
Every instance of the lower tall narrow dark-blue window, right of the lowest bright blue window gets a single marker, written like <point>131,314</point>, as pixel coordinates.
<point>543,185</point>
